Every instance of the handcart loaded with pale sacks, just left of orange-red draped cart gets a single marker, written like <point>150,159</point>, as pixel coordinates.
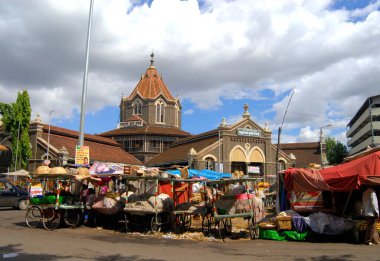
<point>146,204</point>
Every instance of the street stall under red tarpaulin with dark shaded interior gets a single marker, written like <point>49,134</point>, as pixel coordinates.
<point>330,198</point>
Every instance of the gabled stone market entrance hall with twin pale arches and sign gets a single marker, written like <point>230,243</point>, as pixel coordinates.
<point>243,146</point>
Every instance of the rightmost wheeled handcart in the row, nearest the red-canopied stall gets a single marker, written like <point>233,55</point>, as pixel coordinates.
<point>231,199</point>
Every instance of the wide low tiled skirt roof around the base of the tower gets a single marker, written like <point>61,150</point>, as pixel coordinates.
<point>149,130</point>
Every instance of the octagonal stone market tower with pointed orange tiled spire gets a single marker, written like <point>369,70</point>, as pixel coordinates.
<point>150,117</point>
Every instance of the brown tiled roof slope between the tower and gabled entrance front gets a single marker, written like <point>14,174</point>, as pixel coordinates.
<point>178,153</point>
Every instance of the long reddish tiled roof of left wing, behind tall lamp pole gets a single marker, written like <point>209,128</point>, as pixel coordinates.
<point>101,149</point>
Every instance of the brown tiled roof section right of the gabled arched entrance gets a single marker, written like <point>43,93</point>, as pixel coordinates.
<point>305,153</point>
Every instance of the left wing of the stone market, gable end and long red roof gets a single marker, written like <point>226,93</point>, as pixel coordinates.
<point>58,145</point>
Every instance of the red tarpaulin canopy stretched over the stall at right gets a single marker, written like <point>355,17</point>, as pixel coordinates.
<point>344,177</point>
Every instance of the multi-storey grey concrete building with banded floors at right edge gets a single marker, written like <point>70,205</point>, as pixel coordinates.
<point>363,130</point>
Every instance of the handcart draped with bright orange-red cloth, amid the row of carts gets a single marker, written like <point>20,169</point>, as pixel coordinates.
<point>186,203</point>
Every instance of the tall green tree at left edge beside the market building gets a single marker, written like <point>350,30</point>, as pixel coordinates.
<point>16,120</point>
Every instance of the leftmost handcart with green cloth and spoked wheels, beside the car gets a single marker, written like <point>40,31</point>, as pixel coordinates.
<point>49,206</point>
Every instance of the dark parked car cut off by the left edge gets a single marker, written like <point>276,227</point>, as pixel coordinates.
<point>12,196</point>
